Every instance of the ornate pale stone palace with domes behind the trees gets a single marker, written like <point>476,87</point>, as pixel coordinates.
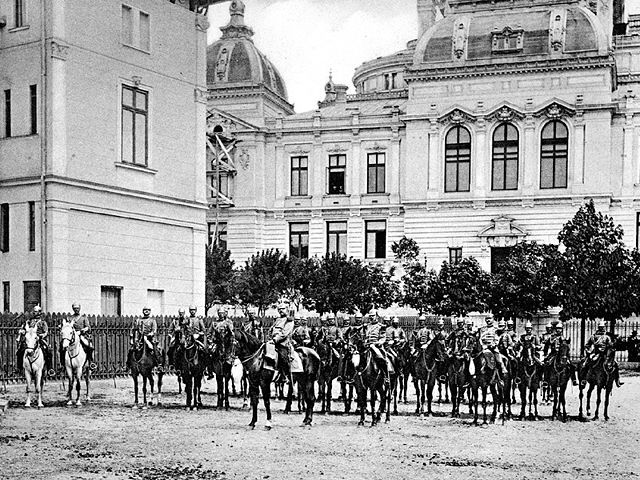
<point>493,126</point>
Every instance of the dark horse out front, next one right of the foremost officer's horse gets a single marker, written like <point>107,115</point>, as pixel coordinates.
<point>370,377</point>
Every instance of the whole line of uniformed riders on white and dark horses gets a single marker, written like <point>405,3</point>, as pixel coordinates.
<point>376,358</point>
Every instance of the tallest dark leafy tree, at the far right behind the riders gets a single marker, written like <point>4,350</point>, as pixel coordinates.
<point>597,274</point>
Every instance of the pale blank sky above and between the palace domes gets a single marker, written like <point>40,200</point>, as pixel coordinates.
<point>305,39</point>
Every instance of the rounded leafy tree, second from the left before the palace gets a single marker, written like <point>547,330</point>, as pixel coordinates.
<point>263,279</point>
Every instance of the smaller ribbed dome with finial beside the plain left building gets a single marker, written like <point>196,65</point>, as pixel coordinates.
<point>234,60</point>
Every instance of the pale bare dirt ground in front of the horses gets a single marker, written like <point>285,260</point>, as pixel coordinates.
<point>107,439</point>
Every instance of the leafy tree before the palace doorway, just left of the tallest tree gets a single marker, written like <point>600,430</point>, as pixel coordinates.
<point>526,284</point>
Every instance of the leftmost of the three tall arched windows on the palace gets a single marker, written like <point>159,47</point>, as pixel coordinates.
<point>457,159</point>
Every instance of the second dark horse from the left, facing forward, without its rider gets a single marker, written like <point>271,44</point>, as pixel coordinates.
<point>190,363</point>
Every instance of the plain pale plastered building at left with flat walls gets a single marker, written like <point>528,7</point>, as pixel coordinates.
<point>102,142</point>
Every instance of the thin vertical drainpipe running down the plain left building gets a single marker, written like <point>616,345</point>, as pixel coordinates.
<point>44,290</point>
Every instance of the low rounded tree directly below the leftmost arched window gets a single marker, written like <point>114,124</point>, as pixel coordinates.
<point>459,288</point>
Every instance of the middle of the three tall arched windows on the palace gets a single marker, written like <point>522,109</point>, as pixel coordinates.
<point>504,166</point>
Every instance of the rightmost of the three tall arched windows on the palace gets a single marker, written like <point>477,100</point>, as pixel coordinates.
<point>554,147</point>
